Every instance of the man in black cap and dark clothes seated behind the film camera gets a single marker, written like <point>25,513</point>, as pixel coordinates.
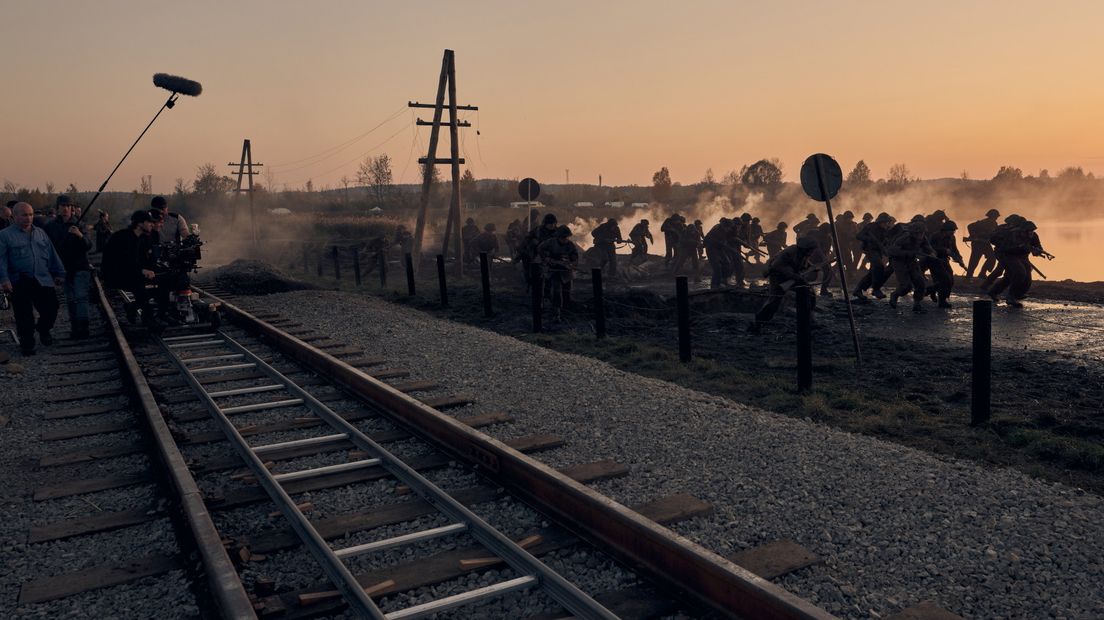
<point>124,268</point>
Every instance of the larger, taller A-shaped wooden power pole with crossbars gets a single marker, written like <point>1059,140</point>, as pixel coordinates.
<point>447,83</point>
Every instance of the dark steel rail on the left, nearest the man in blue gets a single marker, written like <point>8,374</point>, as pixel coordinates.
<point>224,582</point>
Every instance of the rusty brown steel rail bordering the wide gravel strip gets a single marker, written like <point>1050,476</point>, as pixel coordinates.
<point>673,562</point>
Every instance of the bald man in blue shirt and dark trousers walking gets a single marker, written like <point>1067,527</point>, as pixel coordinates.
<point>29,271</point>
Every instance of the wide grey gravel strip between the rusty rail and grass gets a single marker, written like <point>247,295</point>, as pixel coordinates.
<point>895,526</point>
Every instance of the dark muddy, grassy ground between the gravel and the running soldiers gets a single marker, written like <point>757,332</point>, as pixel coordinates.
<point>914,387</point>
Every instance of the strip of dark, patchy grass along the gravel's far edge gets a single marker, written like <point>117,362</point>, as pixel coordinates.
<point>915,416</point>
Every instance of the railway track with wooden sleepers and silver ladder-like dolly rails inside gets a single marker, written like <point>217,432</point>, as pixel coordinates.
<point>274,440</point>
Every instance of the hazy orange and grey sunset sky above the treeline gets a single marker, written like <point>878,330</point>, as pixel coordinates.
<point>613,89</point>
